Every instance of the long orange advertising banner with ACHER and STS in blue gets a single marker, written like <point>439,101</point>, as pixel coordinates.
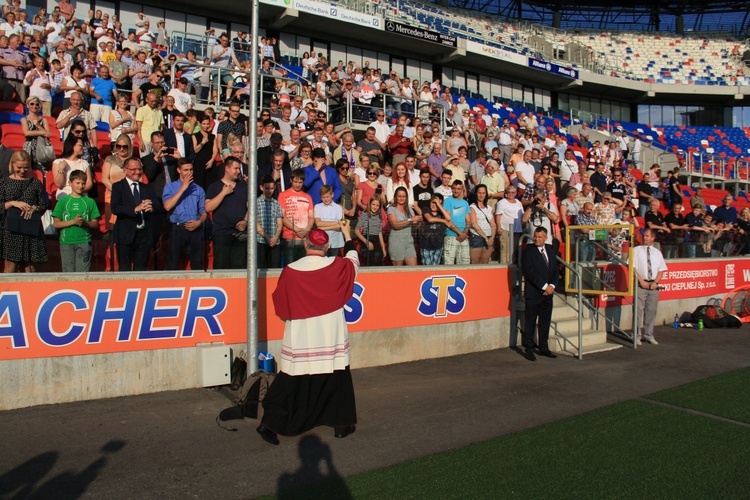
<point>44,319</point>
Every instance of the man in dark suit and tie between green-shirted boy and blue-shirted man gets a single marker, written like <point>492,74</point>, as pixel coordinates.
<point>135,205</point>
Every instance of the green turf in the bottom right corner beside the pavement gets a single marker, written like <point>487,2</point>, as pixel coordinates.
<point>634,449</point>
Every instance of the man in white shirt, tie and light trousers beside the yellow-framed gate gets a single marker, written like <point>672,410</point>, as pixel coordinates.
<point>649,268</point>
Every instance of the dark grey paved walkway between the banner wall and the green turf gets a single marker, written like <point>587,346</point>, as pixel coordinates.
<point>168,445</point>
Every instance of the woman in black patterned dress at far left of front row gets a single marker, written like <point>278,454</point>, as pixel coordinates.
<point>22,191</point>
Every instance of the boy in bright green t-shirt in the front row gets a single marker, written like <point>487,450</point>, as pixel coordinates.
<point>75,216</point>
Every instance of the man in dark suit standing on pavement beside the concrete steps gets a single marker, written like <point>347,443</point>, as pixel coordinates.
<point>541,275</point>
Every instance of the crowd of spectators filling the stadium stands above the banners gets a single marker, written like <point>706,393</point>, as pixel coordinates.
<point>433,181</point>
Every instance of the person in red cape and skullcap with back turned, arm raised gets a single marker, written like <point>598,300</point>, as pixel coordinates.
<point>314,385</point>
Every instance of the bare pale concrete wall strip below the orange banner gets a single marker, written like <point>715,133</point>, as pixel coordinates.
<point>31,382</point>
